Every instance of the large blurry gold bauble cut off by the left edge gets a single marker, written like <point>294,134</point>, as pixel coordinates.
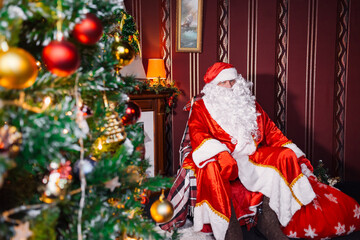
<point>18,69</point>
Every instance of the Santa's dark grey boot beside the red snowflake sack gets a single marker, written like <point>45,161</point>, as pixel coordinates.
<point>268,223</point>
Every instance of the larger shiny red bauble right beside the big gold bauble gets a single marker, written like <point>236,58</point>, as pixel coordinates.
<point>61,58</point>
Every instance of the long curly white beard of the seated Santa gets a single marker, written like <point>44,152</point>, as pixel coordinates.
<point>233,109</point>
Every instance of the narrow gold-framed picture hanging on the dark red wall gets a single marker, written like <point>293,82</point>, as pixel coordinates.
<point>189,25</point>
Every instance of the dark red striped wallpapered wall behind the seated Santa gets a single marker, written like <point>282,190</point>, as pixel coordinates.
<point>312,73</point>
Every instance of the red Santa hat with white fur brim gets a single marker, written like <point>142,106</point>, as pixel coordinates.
<point>220,72</point>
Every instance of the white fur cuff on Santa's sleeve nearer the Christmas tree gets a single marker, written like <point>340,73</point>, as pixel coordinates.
<point>207,150</point>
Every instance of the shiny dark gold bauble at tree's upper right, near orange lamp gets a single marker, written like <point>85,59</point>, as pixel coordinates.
<point>123,52</point>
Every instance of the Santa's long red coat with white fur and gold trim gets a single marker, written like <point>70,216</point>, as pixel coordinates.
<point>270,165</point>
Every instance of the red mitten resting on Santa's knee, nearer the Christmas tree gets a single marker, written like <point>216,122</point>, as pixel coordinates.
<point>229,169</point>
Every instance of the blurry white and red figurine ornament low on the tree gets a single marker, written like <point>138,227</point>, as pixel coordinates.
<point>56,182</point>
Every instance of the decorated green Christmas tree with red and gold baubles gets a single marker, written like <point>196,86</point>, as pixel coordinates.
<point>71,164</point>
